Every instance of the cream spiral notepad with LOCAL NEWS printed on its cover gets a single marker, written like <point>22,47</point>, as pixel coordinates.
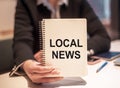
<point>64,43</point>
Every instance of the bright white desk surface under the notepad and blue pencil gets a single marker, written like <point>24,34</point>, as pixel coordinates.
<point>108,77</point>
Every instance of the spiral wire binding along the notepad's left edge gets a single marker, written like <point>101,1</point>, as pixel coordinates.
<point>42,40</point>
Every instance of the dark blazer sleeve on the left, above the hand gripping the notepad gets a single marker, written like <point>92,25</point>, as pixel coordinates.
<point>23,37</point>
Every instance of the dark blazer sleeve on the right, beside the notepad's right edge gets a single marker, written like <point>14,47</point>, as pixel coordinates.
<point>99,40</point>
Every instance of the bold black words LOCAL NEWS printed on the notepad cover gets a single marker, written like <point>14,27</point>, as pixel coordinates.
<point>66,54</point>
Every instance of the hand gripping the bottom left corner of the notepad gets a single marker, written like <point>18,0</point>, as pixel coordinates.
<point>39,74</point>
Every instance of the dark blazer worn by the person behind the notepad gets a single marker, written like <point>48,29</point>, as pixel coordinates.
<point>26,33</point>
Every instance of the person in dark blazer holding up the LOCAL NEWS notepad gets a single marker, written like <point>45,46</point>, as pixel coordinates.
<point>26,34</point>
